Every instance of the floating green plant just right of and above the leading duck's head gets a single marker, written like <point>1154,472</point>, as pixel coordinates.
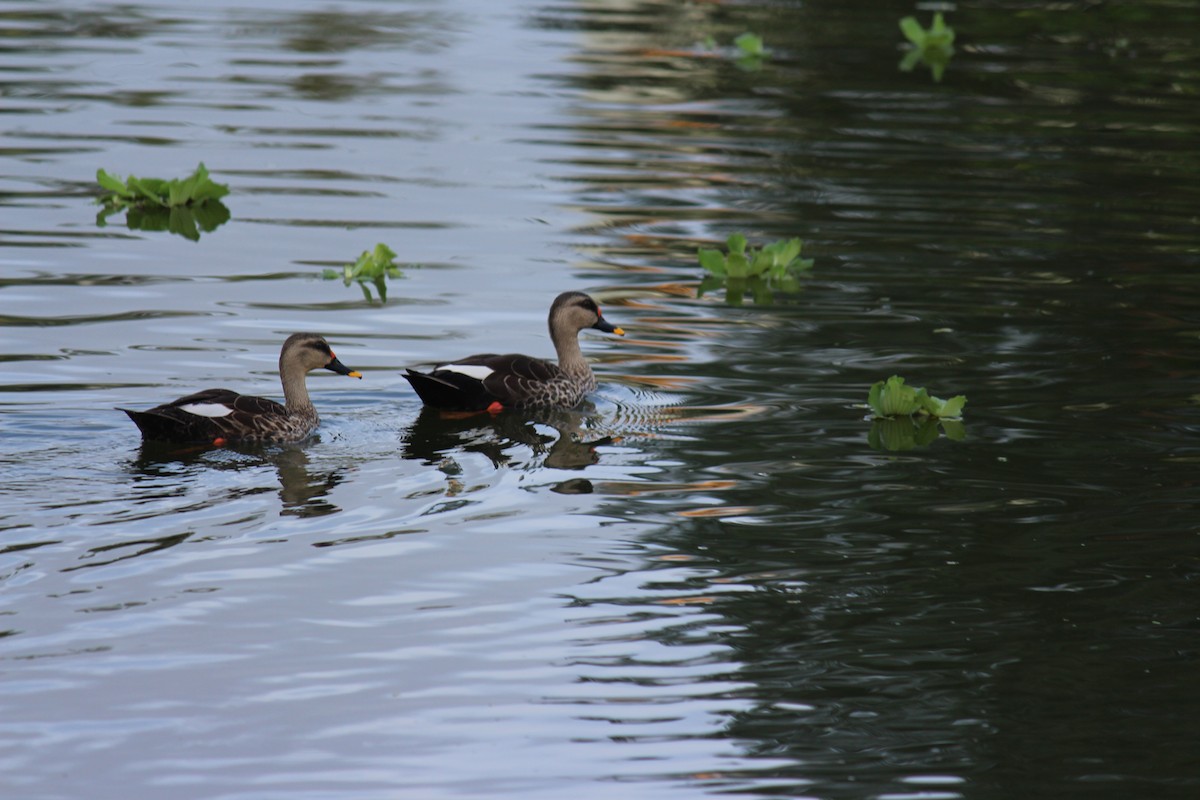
<point>775,268</point>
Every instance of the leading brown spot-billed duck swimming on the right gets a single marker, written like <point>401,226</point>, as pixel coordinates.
<point>493,383</point>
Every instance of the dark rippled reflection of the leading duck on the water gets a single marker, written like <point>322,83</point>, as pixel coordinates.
<point>436,436</point>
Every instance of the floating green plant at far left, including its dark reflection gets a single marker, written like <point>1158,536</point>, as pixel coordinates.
<point>184,207</point>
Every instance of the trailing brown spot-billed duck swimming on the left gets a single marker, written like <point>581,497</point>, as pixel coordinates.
<point>219,417</point>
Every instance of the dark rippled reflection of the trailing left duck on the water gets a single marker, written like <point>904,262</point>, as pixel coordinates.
<point>304,492</point>
